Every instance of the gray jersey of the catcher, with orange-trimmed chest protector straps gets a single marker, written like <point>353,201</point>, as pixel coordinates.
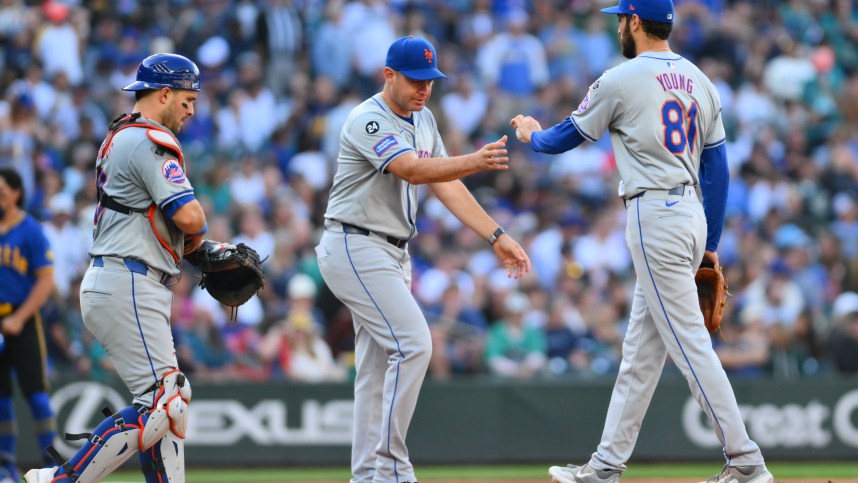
<point>137,169</point>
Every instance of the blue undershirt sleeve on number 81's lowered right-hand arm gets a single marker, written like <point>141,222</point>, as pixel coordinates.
<point>714,183</point>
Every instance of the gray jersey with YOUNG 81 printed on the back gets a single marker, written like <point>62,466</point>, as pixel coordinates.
<point>652,102</point>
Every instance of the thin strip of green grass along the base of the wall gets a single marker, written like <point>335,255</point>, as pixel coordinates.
<point>817,471</point>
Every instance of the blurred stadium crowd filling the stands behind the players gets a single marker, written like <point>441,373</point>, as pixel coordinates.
<point>278,79</point>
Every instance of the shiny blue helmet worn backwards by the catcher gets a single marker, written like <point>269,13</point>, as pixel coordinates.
<point>166,70</point>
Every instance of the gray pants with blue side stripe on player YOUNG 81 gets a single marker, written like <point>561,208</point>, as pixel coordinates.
<point>666,235</point>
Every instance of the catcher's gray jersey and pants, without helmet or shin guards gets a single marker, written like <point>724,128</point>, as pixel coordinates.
<point>123,299</point>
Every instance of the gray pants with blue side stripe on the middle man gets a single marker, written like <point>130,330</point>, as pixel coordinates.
<point>392,347</point>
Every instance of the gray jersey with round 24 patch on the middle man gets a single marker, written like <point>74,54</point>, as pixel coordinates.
<point>363,193</point>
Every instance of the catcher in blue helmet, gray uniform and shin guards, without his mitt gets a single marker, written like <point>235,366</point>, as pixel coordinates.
<point>141,187</point>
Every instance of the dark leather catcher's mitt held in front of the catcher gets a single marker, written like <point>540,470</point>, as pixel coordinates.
<point>231,273</point>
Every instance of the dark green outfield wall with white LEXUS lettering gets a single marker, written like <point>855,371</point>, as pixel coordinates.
<point>476,421</point>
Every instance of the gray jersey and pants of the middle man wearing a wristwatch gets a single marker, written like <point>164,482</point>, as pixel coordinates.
<point>363,259</point>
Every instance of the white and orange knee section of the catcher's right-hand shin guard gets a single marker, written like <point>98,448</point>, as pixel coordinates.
<point>170,413</point>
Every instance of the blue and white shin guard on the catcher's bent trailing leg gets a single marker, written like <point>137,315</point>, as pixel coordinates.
<point>111,443</point>
